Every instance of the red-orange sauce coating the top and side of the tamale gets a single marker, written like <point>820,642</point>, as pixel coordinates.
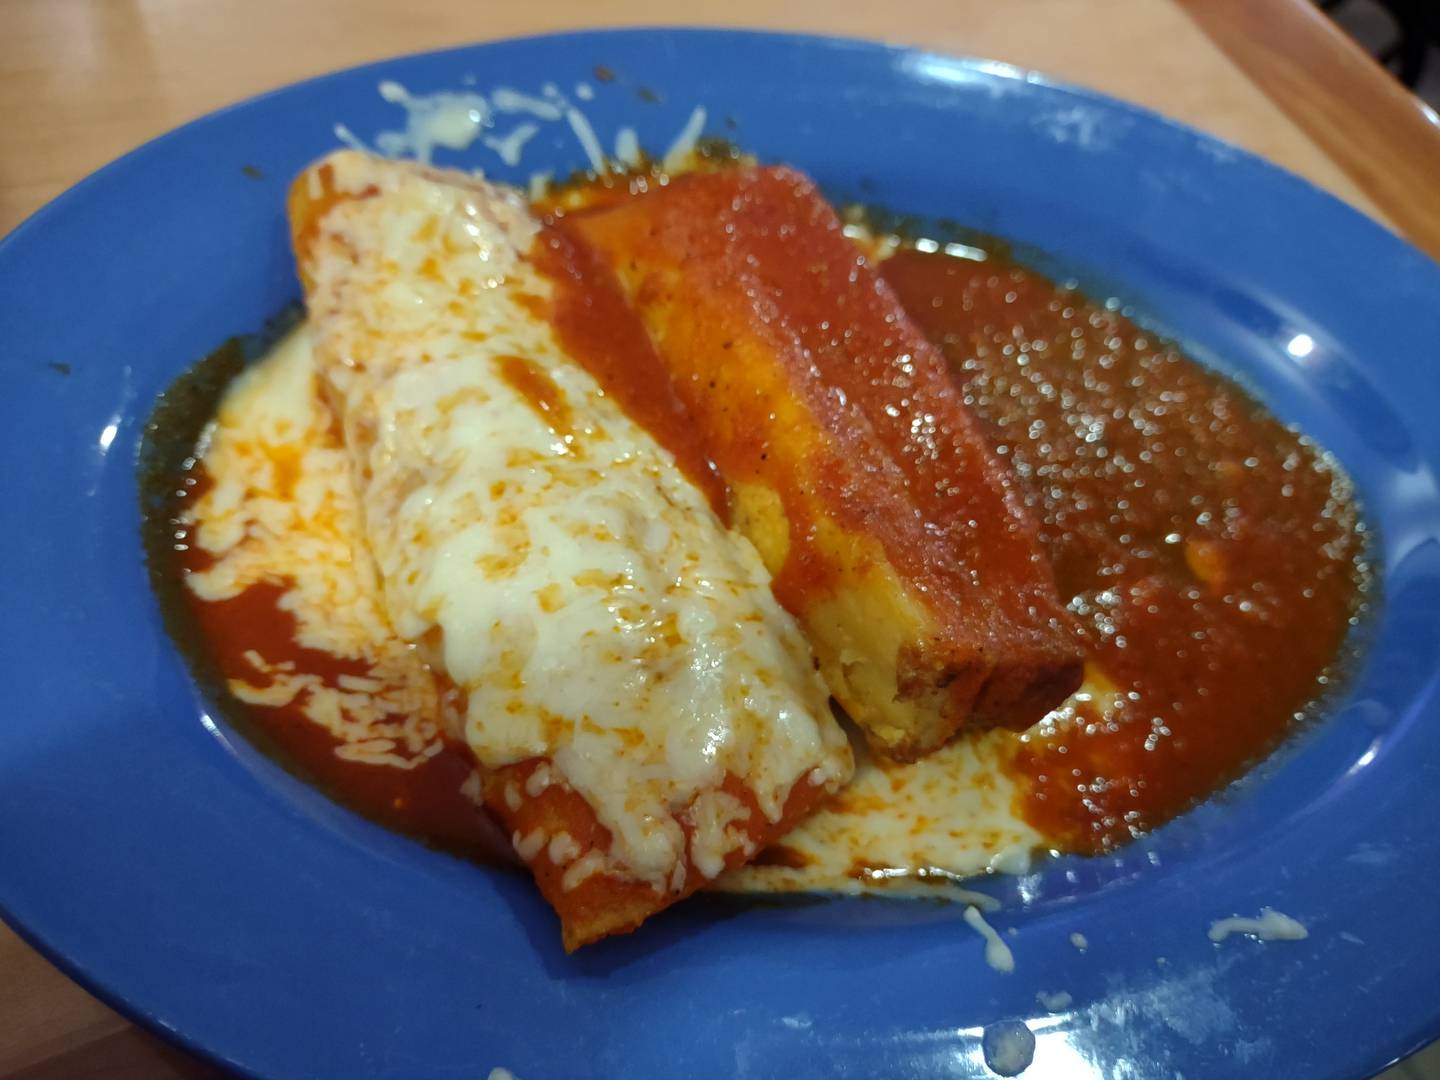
<point>751,270</point>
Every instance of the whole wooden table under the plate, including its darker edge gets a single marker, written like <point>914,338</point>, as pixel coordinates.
<point>83,81</point>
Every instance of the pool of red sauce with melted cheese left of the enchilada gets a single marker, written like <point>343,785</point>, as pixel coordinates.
<point>246,594</point>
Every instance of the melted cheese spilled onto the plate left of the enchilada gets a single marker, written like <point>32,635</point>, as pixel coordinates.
<point>282,512</point>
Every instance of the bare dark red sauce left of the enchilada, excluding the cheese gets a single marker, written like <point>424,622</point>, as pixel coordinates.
<point>424,801</point>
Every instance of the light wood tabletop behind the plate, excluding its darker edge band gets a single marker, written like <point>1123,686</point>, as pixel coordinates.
<point>87,80</point>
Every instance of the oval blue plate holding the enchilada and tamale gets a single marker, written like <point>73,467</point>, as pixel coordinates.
<point>205,892</point>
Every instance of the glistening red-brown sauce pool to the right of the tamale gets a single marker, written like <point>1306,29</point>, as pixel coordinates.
<point>1212,555</point>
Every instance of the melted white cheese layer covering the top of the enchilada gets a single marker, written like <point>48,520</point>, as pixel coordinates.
<point>571,582</point>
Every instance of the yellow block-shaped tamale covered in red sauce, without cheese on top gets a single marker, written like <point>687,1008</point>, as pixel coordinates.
<point>895,532</point>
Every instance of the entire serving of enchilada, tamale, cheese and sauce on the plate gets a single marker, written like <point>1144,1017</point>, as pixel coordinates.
<point>575,516</point>
